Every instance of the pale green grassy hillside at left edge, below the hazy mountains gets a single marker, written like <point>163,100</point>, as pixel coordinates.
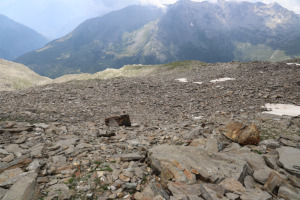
<point>17,76</point>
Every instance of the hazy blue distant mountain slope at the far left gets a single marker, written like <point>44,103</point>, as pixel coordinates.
<point>17,39</point>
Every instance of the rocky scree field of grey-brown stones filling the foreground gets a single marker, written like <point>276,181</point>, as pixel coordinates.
<point>191,138</point>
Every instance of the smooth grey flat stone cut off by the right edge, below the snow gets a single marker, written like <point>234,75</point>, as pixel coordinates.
<point>289,158</point>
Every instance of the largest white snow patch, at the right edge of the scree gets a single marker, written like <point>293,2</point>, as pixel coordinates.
<point>282,109</point>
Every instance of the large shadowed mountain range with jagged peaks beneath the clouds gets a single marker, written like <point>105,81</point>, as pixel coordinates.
<point>186,30</point>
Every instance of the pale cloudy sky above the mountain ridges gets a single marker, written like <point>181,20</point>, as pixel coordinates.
<point>55,18</point>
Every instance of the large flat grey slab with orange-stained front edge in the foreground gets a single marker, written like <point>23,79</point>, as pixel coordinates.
<point>187,164</point>
